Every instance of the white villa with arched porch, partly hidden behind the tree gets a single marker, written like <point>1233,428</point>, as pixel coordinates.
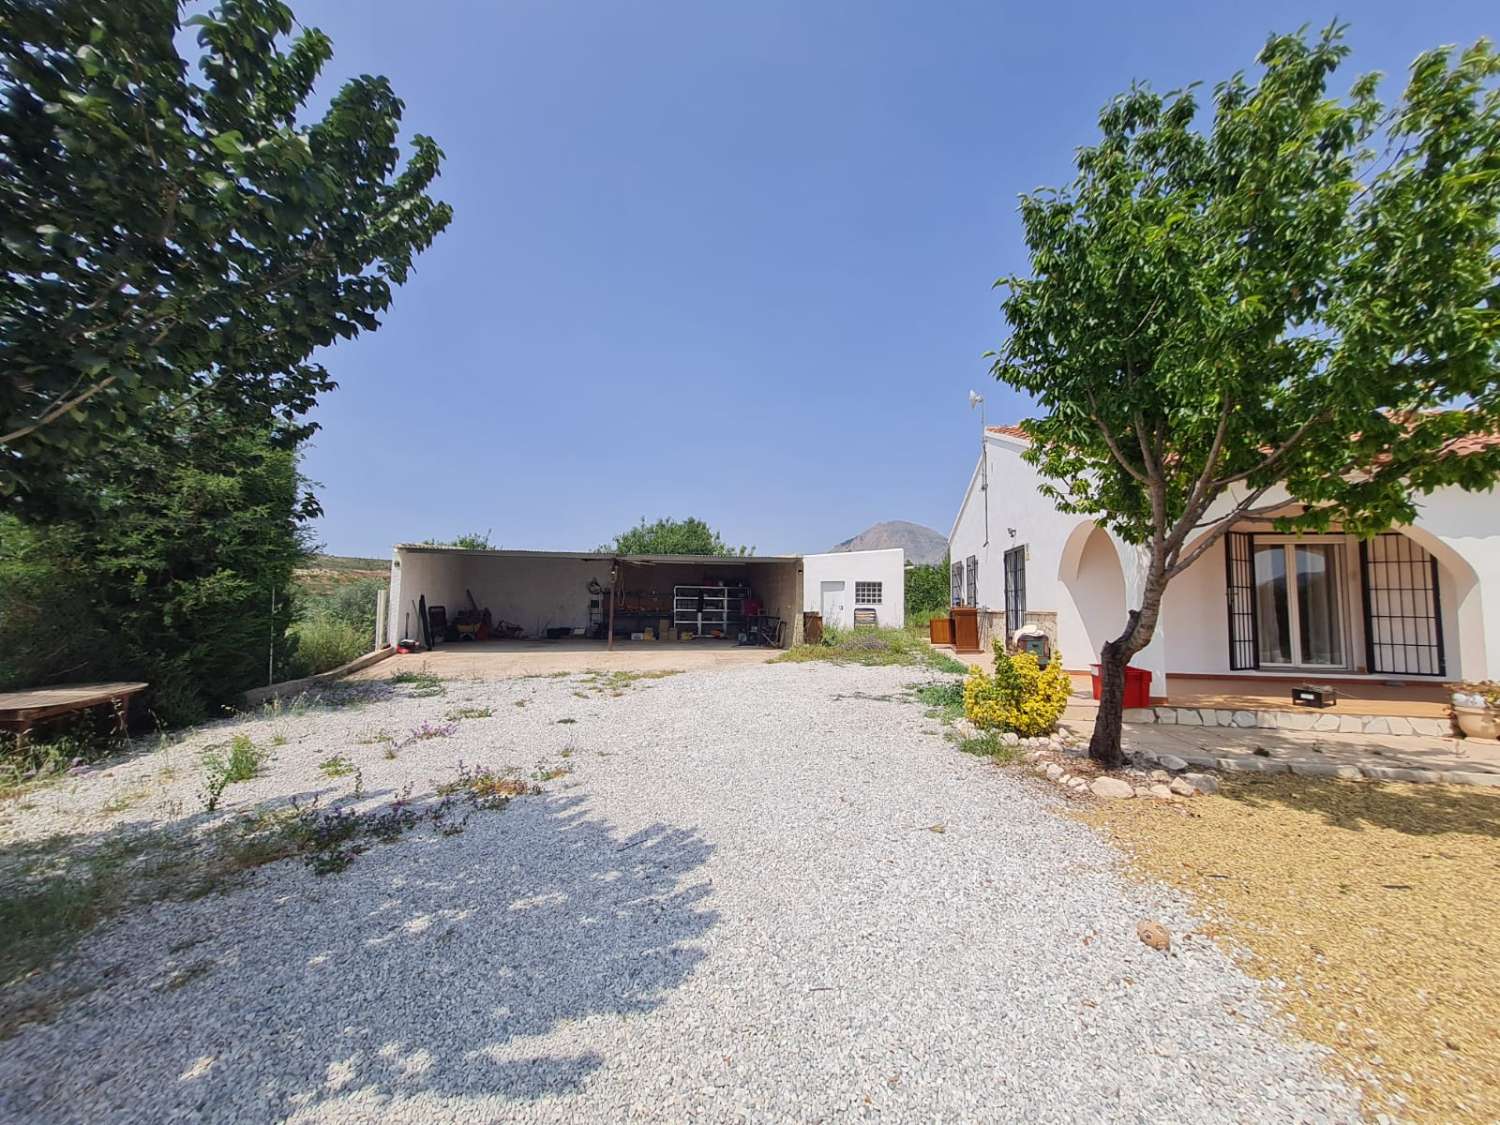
<point>1417,607</point>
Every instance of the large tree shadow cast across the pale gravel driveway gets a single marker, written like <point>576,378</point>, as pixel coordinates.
<point>419,973</point>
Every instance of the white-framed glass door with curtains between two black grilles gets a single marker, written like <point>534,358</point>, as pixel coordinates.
<point>1298,605</point>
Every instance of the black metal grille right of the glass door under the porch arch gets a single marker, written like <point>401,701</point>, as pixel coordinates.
<point>1403,608</point>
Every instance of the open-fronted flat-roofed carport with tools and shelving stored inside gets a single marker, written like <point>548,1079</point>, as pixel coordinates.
<point>598,601</point>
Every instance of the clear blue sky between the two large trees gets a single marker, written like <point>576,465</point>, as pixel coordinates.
<point>730,262</point>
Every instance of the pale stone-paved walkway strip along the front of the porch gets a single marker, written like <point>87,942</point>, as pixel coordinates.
<point>1462,761</point>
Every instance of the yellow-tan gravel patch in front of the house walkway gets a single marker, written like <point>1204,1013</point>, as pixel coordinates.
<point>1375,904</point>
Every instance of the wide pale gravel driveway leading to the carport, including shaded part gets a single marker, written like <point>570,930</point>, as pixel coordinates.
<point>766,893</point>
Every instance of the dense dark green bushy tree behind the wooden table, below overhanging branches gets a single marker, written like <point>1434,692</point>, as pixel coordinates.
<point>182,577</point>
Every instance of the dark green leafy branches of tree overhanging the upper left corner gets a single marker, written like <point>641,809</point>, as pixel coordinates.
<point>167,235</point>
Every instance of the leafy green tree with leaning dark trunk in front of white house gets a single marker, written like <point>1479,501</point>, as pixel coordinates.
<point>1288,314</point>
